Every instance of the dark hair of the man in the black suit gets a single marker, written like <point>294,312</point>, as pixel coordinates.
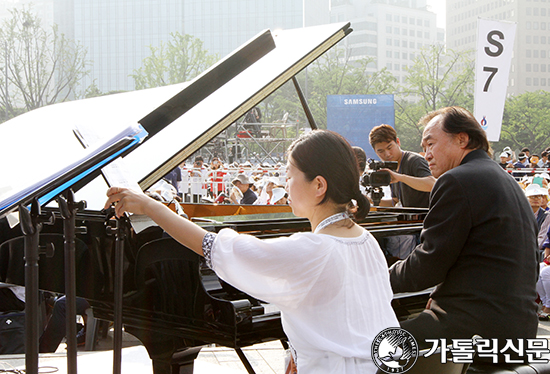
<point>456,120</point>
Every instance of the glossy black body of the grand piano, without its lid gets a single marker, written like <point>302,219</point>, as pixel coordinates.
<point>172,302</point>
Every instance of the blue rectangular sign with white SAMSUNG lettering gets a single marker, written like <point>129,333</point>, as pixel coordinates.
<point>353,116</point>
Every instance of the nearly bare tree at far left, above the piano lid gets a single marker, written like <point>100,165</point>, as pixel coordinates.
<point>41,66</point>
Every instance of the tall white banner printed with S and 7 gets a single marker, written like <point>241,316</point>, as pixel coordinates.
<point>495,43</point>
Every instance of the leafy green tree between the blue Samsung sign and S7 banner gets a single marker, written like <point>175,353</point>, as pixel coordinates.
<point>437,78</point>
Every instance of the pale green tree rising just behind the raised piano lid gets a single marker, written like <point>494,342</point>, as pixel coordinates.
<point>179,60</point>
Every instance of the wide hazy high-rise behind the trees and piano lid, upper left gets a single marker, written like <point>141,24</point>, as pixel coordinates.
<point>118,34</point>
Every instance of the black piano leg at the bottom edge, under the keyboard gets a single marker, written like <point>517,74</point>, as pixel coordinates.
<point>166,353</point>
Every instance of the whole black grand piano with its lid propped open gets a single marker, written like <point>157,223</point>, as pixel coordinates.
<point>170,300</point>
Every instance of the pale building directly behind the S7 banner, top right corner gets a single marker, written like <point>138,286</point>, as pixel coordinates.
<point>530,70</point>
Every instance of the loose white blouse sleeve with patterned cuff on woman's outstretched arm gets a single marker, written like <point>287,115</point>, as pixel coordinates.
<point>280,271</point>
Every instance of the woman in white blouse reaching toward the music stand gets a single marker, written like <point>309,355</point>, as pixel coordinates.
<point>331,285</point>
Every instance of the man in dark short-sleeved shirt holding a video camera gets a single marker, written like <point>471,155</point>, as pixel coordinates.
<point>413,181</point>
